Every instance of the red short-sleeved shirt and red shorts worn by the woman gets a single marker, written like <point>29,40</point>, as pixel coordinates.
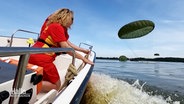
<point>52,34</point>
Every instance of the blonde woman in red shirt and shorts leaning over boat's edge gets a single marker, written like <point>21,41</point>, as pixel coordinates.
<point>54,34</point>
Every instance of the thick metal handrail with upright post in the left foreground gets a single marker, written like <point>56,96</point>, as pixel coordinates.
<point>24,53</point>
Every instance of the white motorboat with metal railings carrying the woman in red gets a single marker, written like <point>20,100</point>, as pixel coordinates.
<point>20,81</point>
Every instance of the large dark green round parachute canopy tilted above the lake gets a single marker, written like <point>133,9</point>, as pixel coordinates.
<point>136,29</point>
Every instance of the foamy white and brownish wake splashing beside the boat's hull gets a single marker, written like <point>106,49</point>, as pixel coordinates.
<point>102,89</point>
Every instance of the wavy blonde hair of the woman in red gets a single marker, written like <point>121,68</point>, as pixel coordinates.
<point>63,16</point>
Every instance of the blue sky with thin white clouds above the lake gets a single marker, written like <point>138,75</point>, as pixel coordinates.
<point>97,23</point>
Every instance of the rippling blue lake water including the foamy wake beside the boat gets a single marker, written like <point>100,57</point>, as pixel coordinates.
<point>145,82</point>
